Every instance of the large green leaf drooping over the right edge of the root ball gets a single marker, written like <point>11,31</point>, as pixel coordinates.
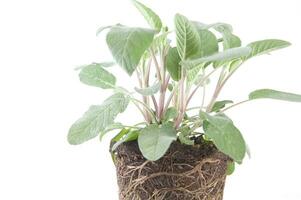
<point>227,138</point>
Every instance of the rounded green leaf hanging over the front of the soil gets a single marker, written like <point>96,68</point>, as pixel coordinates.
<point>155,140</point>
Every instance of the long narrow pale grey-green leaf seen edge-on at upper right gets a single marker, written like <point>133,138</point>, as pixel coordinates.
<point>226,55</point>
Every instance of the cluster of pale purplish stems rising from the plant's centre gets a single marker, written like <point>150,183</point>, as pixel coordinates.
<point>181,93</point>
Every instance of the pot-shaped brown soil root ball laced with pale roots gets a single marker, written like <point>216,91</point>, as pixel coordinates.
<point>184,173</point>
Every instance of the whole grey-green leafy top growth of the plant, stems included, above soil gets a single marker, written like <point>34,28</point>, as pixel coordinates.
<point>177,73</point>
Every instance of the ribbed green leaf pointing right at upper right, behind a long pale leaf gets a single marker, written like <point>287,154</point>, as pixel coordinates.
<point>266,46</point>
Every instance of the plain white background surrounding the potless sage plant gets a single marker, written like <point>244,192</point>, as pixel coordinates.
<point>41,42</point>
